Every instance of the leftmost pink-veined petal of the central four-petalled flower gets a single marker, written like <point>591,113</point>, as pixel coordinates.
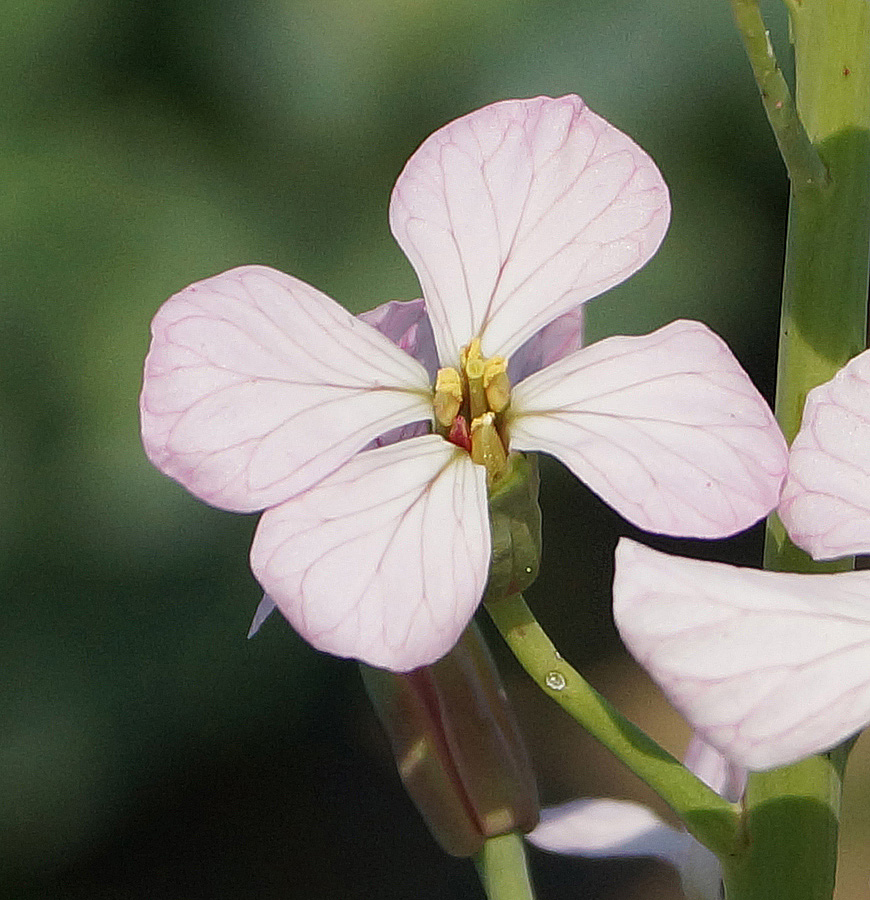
<point>257,385</point>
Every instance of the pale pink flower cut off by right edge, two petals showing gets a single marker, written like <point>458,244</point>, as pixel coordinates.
<point>770,667</point>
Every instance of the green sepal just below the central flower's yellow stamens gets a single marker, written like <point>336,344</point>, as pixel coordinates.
<point>515,525</point>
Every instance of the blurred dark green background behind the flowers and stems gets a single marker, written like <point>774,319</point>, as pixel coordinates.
<point>147,750</point>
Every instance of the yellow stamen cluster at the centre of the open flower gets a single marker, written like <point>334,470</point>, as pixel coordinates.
<point>479,394</point>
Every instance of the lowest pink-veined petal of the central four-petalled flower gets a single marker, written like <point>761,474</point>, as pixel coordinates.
<point>386,559</point>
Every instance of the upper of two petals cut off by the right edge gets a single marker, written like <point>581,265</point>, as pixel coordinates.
<point>825,503</point>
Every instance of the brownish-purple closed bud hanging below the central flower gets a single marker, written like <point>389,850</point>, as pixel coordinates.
<point>457,746</point>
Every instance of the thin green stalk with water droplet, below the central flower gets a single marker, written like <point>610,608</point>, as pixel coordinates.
<point>711,819</point>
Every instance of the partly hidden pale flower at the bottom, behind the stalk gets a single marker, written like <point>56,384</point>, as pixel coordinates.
<point>607,829</point>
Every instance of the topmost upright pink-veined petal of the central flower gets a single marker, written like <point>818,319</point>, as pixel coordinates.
<point>516,213</point>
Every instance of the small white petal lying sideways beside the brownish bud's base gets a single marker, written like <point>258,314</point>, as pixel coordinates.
<point>608,828</point>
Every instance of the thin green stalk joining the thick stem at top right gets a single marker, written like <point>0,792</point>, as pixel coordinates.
<point>801,158</point>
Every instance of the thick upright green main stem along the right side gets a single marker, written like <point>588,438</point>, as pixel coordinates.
<point>792,814</point>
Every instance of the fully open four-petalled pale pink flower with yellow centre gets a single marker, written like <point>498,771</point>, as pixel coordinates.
<point>260,392</point>
